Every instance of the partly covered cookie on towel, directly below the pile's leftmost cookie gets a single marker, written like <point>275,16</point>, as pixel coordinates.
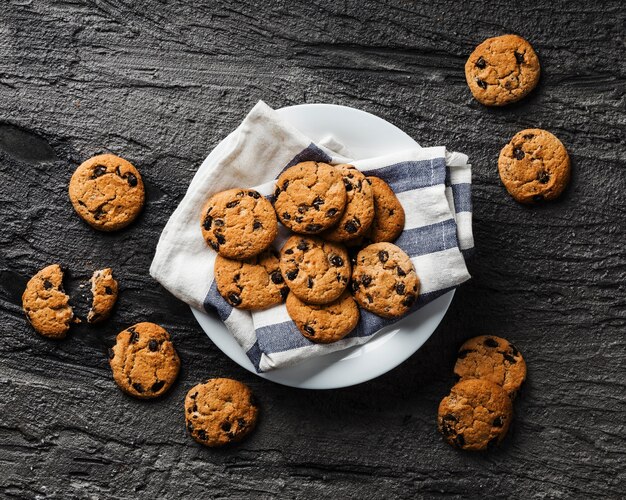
<point>254,283</point>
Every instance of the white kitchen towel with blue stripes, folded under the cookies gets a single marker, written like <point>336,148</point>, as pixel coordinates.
<point>433,185</point>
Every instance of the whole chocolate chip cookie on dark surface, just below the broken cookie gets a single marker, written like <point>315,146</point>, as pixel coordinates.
<point>144,361</point>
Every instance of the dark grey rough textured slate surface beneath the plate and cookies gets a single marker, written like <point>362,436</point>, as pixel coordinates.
<point>161,83</point>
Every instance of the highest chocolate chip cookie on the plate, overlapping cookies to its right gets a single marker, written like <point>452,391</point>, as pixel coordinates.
<point>310,197</point>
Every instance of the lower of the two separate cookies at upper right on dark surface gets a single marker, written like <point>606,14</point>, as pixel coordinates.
<point>534,166</point>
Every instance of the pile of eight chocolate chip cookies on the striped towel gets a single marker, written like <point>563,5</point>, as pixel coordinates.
<point>339,256</point>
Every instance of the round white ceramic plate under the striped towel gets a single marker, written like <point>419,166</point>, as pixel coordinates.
<point>365,135</point>
